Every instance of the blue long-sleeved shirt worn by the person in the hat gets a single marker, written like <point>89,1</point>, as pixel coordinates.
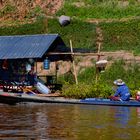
<point>123,92</point>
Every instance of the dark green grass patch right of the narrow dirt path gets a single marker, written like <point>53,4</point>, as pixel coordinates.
<point>121,36</point>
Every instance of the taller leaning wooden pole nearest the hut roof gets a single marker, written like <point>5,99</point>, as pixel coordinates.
<point>73,63</point>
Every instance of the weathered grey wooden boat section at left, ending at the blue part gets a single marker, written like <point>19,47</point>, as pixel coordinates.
<point>13,98</point>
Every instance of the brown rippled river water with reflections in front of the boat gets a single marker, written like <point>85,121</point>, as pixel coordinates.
<point>68,122</point>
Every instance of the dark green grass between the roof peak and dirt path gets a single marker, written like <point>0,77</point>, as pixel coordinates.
<point>81,33</point>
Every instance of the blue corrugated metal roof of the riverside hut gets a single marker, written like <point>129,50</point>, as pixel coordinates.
<point>26,46</point>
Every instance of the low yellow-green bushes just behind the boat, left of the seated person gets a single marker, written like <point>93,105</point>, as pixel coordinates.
<point>83,90</point>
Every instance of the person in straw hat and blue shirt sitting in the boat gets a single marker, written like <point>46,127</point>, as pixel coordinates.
<point>122,92</point>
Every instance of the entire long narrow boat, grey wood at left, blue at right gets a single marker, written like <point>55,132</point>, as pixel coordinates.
<point>11,98</point>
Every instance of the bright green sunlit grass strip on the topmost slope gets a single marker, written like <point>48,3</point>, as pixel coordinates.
<point>100,9</point>
